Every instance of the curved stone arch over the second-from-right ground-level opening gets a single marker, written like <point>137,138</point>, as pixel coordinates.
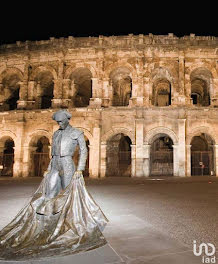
<point>152,134</point>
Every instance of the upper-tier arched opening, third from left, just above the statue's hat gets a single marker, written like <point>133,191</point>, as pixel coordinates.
<point>82,86</point>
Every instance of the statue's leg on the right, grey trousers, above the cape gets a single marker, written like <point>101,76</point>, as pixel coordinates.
<point>68,168</point>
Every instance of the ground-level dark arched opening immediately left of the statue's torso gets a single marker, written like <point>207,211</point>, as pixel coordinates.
<point>39,156</point>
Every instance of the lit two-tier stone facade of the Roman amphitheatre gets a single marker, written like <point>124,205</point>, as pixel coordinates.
<point>147,104</point>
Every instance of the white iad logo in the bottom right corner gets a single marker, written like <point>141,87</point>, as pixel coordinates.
<point>210,257</point>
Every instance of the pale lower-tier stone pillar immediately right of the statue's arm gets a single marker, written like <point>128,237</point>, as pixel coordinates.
<point>95,149</point>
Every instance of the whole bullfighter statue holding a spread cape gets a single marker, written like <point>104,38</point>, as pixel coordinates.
<point>62,217</point>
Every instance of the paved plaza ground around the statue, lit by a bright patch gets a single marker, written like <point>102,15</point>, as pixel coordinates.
<point>152,220</point>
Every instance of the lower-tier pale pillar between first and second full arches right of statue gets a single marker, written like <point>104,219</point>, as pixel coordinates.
<point>139,147</point>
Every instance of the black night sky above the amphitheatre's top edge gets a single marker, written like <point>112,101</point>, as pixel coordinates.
<point>84,19</point>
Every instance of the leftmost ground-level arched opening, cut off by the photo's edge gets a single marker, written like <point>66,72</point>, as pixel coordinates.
<point>7,156</point>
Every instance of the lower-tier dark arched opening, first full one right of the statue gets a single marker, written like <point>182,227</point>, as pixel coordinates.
<point>118,156</point>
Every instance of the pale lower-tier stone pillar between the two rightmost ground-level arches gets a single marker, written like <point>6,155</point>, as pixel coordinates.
<point>182,151</point>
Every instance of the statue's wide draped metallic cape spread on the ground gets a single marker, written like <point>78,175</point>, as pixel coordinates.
<point>69,223</point>
